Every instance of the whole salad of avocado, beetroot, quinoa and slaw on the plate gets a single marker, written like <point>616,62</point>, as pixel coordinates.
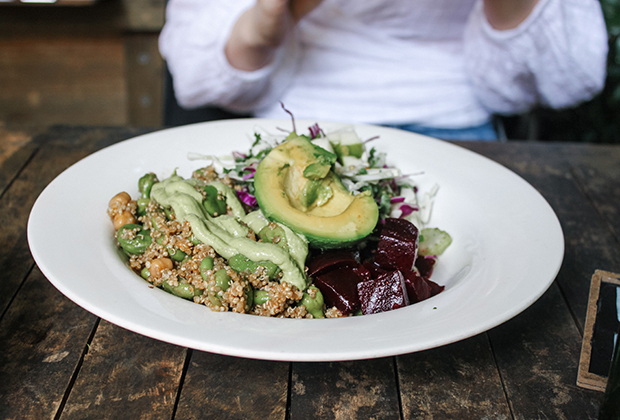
<point>314,225</point>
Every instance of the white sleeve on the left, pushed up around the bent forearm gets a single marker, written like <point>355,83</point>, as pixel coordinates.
<point>192,43</point>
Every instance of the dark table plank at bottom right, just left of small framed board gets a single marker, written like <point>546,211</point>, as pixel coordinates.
<point>538,356</point>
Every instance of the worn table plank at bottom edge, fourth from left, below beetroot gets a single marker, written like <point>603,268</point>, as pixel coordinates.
<point>363,389</point>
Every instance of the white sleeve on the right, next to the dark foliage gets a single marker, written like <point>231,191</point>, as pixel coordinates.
<point>556,57</point>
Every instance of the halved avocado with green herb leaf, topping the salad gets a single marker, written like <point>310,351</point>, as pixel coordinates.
<point>295,186</point>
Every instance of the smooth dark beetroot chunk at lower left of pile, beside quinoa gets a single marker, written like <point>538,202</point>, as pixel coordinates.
<point>339,289</point>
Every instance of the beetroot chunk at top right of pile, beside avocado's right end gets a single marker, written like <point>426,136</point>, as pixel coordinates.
<point>398,245</point>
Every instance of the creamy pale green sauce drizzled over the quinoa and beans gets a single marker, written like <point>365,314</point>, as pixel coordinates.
<point>225,234</point>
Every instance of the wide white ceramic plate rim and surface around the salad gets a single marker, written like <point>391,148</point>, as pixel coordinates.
<point>507,249</point>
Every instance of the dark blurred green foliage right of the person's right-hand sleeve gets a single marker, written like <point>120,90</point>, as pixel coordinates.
<point>598,120</point>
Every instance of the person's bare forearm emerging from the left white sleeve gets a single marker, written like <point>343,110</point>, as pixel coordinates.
<point>263,28</point>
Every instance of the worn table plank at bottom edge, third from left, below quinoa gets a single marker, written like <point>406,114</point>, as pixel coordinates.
<point>224,387</point>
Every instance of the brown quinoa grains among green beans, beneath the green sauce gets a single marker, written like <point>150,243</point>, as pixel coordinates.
<point>170,236</point>
